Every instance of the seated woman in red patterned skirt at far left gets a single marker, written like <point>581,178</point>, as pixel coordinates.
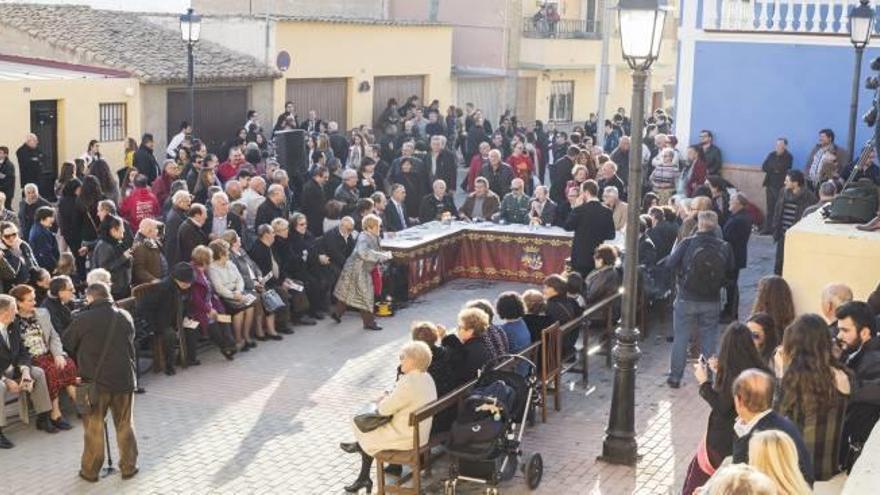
<point>44,344</point>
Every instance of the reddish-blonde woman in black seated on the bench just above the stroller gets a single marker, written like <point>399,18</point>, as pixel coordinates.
<point>467,352</point>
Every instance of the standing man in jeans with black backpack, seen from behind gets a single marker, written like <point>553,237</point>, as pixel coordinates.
<point>701,264</point>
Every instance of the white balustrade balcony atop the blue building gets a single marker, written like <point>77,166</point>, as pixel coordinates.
<point>820,17</point>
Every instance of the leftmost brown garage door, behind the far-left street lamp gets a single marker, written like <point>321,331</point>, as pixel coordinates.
<point>219,112</point>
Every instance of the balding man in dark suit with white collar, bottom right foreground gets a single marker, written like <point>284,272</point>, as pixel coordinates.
<point>753,400</point>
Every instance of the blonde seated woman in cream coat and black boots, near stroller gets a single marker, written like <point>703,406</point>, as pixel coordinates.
<point>413,390</point>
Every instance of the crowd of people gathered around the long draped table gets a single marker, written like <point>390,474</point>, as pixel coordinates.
<point>226,245</point>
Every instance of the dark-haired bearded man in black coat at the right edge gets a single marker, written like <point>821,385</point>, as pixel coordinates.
<point>857,334</point>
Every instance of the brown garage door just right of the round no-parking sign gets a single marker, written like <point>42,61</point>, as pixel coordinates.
<point>328,96</point>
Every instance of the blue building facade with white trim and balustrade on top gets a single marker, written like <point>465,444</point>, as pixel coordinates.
<point>754,71</point>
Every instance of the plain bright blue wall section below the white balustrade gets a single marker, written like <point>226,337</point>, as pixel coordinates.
<point>750,93</point>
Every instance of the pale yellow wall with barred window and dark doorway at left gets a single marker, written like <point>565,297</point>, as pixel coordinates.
<point>78,115</point>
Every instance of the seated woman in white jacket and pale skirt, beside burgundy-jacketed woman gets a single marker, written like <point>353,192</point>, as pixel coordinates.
<point>229,285</point>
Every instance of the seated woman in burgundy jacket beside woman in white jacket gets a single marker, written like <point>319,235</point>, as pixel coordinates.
<point>205,307</point>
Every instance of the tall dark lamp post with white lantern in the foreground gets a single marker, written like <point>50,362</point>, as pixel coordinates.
<point>641,30</point>
